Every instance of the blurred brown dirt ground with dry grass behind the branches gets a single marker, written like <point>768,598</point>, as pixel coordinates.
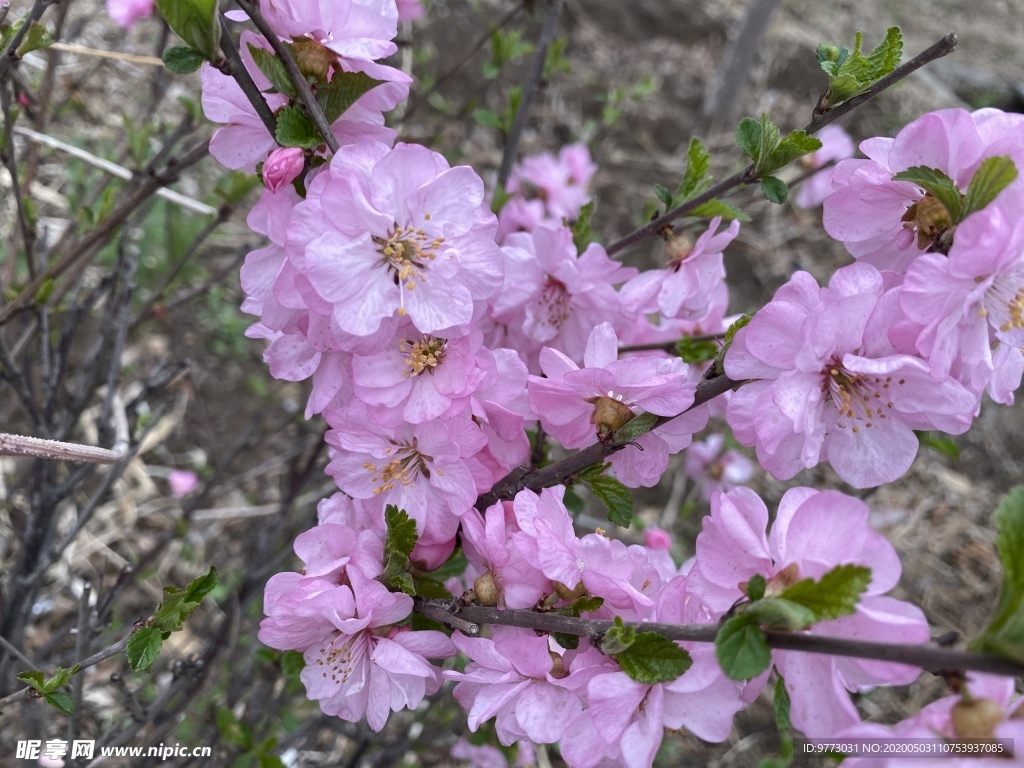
<point>937,517</point>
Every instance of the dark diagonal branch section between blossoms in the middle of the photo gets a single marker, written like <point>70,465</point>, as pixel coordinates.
<point>562,472</point>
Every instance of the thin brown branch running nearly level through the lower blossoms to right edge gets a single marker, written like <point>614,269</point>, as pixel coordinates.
<point>926,657</point>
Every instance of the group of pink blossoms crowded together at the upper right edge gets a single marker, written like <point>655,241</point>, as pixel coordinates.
<point>929,320</point>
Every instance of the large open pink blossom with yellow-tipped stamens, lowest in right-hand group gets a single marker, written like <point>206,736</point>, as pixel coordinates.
<point>831,386</point>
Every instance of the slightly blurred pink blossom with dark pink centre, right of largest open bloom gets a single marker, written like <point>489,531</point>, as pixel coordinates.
<point>554,296</point>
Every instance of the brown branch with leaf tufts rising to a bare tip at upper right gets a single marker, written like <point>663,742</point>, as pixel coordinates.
<point>820,121</point>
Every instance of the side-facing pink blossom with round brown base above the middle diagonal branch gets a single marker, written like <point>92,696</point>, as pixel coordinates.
<point>571,400</point>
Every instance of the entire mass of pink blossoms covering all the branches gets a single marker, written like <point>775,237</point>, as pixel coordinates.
<point>445,345</point>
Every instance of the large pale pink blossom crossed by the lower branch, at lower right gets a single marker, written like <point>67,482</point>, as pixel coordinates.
<point>814,533</point>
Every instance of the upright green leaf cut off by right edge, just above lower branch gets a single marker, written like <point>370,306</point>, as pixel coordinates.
<point>1005,634</point>
